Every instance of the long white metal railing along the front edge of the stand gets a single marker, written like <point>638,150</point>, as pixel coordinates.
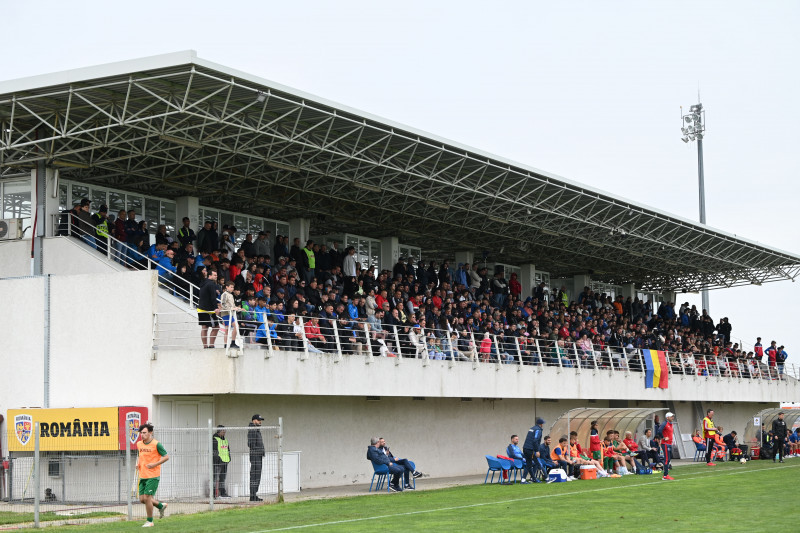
<point>337,338</point>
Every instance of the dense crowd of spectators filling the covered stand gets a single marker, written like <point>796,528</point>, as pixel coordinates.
<point>438,310</point>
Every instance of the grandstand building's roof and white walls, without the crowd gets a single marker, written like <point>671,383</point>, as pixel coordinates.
<point>175,136</point>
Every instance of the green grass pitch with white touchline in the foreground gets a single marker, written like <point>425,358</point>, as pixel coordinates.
<point>730,497</point>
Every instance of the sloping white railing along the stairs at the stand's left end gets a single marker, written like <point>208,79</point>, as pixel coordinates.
<point>128,256</point>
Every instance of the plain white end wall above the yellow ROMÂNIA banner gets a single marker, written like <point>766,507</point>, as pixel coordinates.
<point>100,340</point>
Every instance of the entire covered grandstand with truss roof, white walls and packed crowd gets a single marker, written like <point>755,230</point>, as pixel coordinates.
<point>100,322</point>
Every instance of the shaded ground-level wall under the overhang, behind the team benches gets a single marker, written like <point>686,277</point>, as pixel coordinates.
<point>444,436</point>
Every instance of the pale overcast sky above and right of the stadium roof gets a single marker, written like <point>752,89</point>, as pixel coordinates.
<point>587,90</point>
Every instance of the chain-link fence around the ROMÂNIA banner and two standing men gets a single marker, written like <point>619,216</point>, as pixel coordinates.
<point>70,471</point>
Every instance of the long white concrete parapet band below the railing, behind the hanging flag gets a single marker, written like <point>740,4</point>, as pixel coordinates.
<point>327,375</point>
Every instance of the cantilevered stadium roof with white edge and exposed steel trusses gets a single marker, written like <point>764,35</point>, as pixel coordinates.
<point>177,125</point>
